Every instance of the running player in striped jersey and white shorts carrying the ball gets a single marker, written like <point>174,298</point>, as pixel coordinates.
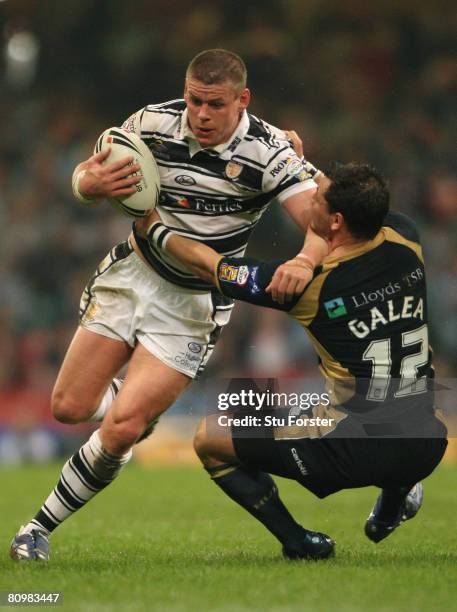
<point>220,167</point>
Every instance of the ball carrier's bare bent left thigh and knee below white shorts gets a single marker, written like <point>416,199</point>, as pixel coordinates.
<point>85,386</point>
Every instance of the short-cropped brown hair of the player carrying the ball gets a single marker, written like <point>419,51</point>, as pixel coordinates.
<point>216,66</point>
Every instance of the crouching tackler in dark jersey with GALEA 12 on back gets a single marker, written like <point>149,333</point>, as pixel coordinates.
<point>365,311</point>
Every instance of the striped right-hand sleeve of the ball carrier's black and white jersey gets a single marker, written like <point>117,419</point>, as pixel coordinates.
<point>287,174</point>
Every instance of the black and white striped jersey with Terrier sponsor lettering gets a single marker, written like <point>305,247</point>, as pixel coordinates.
<point>216,195</point>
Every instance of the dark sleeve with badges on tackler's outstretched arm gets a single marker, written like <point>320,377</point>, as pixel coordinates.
<point>245,279</point>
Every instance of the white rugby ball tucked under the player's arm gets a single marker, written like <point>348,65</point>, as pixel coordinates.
<point>122,144</point>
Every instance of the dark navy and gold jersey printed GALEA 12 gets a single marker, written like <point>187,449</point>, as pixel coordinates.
<point>365,313</point>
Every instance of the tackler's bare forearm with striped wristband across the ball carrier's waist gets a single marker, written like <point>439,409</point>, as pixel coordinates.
<point>197,257</point>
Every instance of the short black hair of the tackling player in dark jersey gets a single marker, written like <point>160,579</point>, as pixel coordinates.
<point>360,194</point>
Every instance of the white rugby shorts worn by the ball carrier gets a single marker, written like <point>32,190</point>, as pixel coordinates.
<point>127,300</point>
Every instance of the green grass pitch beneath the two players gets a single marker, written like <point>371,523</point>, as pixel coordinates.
<point>166,538</point>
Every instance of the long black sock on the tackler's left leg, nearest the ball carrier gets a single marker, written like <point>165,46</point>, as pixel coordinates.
<point>256,491</point>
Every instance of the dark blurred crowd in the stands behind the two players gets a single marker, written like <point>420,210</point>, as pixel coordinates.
<point>358,80</point>
